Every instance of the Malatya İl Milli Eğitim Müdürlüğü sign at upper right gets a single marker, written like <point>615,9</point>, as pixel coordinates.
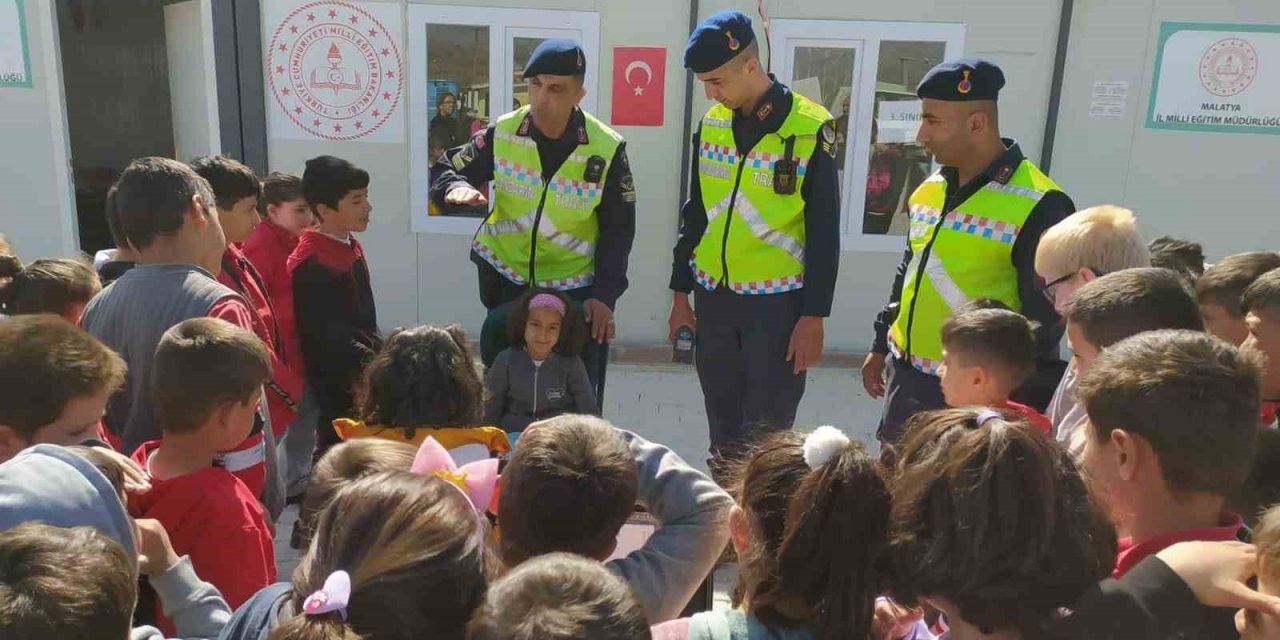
<point>1219,79</point>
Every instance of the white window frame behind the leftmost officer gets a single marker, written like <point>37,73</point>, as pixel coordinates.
<point>505,26</point>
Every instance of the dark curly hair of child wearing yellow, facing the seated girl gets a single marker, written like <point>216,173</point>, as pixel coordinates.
<point>422,378</point>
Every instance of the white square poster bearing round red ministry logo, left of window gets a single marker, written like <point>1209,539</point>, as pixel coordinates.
<point>335,71</point>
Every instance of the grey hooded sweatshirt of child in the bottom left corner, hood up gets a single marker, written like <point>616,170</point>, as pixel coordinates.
<point>53,486</point>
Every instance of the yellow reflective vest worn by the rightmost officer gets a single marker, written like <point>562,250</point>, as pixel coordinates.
<point>961,255</point>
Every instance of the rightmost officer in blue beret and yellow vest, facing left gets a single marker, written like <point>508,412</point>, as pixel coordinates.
<point>976,226</point>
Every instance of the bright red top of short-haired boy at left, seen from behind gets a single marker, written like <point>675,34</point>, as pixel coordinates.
<point>217,522</point>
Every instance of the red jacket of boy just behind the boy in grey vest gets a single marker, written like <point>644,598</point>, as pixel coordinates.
<point>240,276</point>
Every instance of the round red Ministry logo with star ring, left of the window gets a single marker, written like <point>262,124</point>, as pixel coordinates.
<point>335,70</point>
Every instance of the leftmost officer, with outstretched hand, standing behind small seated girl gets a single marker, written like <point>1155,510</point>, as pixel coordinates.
<point>564,214</point>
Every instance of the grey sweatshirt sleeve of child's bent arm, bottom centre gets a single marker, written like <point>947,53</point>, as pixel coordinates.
<point>693,529</point>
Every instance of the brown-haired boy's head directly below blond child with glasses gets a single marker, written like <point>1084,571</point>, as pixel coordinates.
<point>1118,307</point>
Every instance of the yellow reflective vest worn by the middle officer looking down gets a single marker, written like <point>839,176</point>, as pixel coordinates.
<point>755,239</point>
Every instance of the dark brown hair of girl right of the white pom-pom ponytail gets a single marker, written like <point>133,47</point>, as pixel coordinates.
<point>995,519</point>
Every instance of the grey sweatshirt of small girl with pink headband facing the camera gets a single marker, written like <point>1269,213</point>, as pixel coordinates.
<point>522,394</point>
